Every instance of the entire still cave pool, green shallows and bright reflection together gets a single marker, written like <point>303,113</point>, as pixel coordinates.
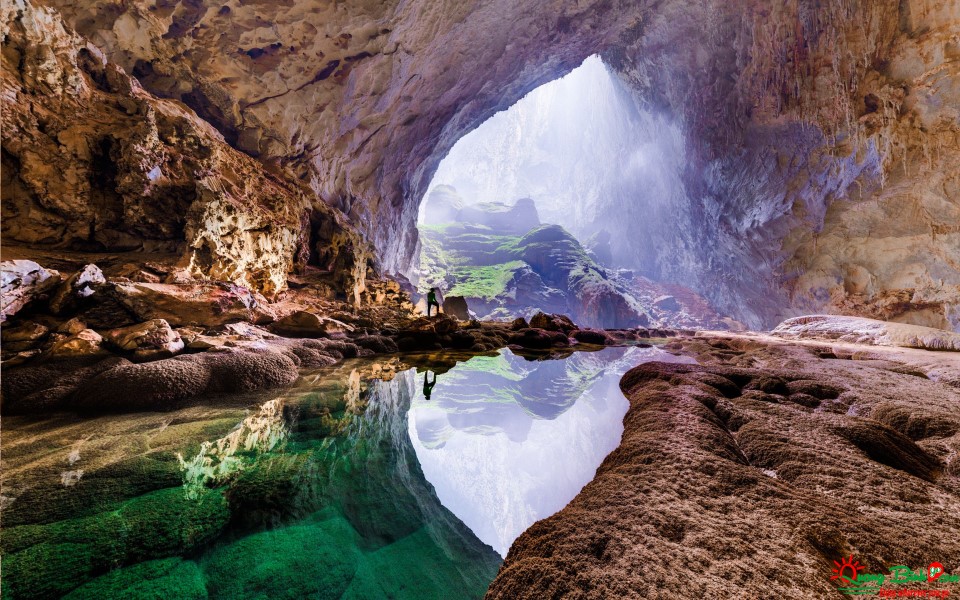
<point>406,477</point>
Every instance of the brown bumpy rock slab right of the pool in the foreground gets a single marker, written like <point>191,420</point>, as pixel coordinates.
<point>750,474</point>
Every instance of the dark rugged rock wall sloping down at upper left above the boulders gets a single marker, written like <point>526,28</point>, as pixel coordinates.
<point>92,162</point>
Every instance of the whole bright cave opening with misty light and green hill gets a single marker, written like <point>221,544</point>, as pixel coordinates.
<point>552,205</point>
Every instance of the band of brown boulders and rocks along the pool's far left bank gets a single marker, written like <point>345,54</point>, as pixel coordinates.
<point>152,338</point>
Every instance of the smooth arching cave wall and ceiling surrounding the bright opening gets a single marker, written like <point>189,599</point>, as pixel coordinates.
<point>822,136</point>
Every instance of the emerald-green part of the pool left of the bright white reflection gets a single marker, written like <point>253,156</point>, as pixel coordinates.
<point>315,494</point>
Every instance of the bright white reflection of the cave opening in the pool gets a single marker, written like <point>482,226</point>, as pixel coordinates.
<point>506,441</point>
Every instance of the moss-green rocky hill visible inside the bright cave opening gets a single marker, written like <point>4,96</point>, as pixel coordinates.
<point>507,264</point>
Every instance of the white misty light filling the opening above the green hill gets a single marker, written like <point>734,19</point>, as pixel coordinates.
<point>588,156</point>
